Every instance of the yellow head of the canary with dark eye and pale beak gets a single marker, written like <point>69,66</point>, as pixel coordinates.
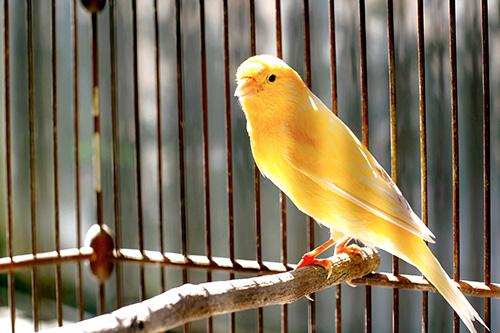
<point>266,78</point>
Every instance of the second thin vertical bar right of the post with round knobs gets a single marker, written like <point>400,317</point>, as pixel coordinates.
<point>137,130</point>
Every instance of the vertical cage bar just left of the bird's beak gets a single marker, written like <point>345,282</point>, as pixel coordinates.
<point>229,148</point>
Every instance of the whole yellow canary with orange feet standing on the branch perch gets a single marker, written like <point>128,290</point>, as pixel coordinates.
<point>312,156</point>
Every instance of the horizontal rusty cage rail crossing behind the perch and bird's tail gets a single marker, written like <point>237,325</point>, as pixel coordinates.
<point>402,281</point>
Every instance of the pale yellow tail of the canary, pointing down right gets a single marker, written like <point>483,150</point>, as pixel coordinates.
<point>425,261</point>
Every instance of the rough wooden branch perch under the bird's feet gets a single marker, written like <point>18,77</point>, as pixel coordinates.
<point>191,302</point>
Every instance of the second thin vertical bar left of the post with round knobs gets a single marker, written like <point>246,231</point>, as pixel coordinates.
<point>55,162</point>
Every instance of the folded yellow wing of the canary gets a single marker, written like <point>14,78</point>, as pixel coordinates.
<point>324,149</point>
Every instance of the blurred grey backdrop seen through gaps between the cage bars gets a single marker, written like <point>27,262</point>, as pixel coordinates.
<point>437,80</point>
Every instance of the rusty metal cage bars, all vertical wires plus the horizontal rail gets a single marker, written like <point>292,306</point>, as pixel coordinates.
<point>485,289</point>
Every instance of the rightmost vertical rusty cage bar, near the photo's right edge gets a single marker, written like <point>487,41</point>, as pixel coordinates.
<point>486,156</point>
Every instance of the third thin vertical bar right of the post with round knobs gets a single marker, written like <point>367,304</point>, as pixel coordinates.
<point>159,165</point>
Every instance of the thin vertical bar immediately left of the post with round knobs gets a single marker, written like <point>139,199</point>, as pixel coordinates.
<point>76,152</point>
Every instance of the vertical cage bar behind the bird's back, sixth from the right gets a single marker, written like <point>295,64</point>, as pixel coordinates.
<point>333,77</point>
